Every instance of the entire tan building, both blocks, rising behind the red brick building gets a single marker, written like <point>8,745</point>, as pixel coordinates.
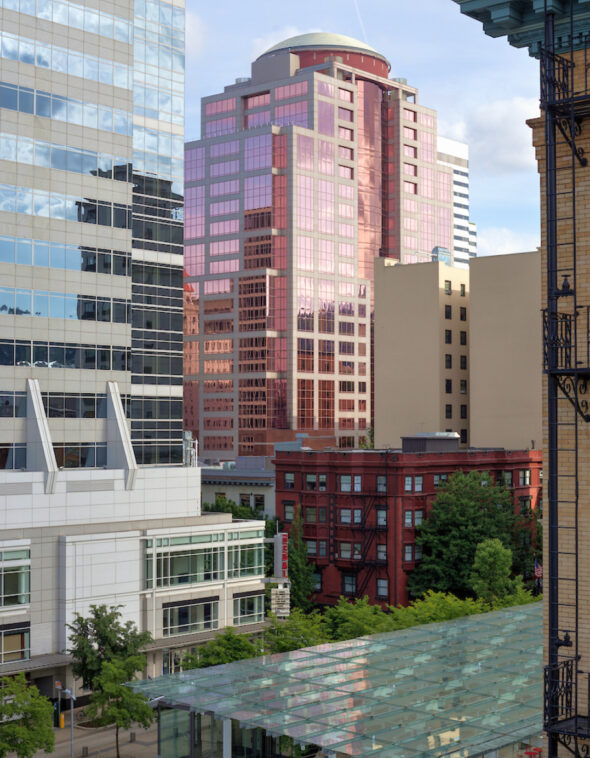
<point>459,351</point>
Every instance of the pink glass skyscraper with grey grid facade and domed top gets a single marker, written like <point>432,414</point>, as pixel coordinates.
<point>305,173</point>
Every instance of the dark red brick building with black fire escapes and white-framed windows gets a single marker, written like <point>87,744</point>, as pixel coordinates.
<point>360,507</point>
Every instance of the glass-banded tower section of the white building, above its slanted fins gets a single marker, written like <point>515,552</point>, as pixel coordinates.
<point>91,214</point>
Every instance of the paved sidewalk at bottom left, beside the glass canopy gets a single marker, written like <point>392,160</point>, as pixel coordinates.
<point>101,742</point>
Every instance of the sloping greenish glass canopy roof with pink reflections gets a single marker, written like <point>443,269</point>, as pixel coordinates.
<point>460,687</point>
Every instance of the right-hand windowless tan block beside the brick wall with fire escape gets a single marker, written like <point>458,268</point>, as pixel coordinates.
<point>505,351</point>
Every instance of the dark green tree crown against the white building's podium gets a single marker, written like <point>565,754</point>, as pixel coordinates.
<point>101,637</point>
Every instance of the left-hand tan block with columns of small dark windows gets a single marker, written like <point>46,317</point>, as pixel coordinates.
<point>421,351</point>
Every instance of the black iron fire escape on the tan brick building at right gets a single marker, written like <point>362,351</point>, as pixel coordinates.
<point>565,100</point>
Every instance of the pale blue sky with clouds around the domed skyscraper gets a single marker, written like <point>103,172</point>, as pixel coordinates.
<point>482,88</point>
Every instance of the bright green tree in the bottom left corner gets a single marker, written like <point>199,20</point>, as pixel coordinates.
<point>25,718</point>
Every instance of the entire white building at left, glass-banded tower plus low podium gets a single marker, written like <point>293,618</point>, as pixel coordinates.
<point>99,502</point>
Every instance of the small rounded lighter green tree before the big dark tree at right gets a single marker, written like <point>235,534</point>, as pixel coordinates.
<point>491,571</point>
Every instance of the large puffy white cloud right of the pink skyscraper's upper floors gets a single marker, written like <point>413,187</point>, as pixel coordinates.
<point>499,140</point>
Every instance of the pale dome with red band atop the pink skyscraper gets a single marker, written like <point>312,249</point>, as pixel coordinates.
<point>313,48</point>
